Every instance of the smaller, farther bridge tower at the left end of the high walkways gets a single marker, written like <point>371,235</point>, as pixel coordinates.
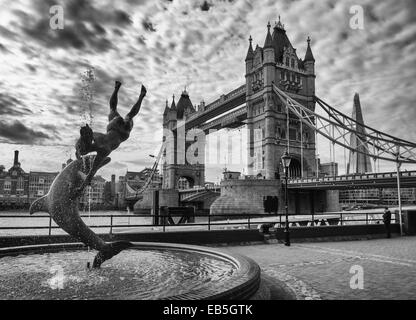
<point>183,163</point>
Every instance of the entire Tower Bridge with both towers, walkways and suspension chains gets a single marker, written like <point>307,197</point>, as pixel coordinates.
<point>277,106</point>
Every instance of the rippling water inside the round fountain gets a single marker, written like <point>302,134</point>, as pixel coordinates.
<point>135,274</point>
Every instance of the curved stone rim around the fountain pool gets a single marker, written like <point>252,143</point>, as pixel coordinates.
<point>243,284</point>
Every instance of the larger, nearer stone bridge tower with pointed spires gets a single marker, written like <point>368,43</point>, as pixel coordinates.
<point>271,129</point>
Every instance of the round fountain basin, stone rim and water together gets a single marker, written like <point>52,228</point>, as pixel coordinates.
<point>146,271</point>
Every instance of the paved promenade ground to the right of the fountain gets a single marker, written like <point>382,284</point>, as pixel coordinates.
<point>321,270</point>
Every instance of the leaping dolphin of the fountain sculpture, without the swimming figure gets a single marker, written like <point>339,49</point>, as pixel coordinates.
<point>64,211</point>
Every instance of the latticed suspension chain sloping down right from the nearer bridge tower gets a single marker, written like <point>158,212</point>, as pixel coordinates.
<point>337,127</point>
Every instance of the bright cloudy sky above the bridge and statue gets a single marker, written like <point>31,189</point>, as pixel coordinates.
<point>171,44</point>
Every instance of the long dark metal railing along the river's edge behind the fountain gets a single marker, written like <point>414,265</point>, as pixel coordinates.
<point>204,222</point>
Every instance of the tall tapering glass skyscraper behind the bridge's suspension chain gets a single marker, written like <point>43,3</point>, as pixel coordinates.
<point>359,161</point>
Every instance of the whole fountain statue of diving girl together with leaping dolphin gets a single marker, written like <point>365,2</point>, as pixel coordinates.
<point>62,200</point>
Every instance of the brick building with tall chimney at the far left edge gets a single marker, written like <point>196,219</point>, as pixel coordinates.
<point>14,185</point>
